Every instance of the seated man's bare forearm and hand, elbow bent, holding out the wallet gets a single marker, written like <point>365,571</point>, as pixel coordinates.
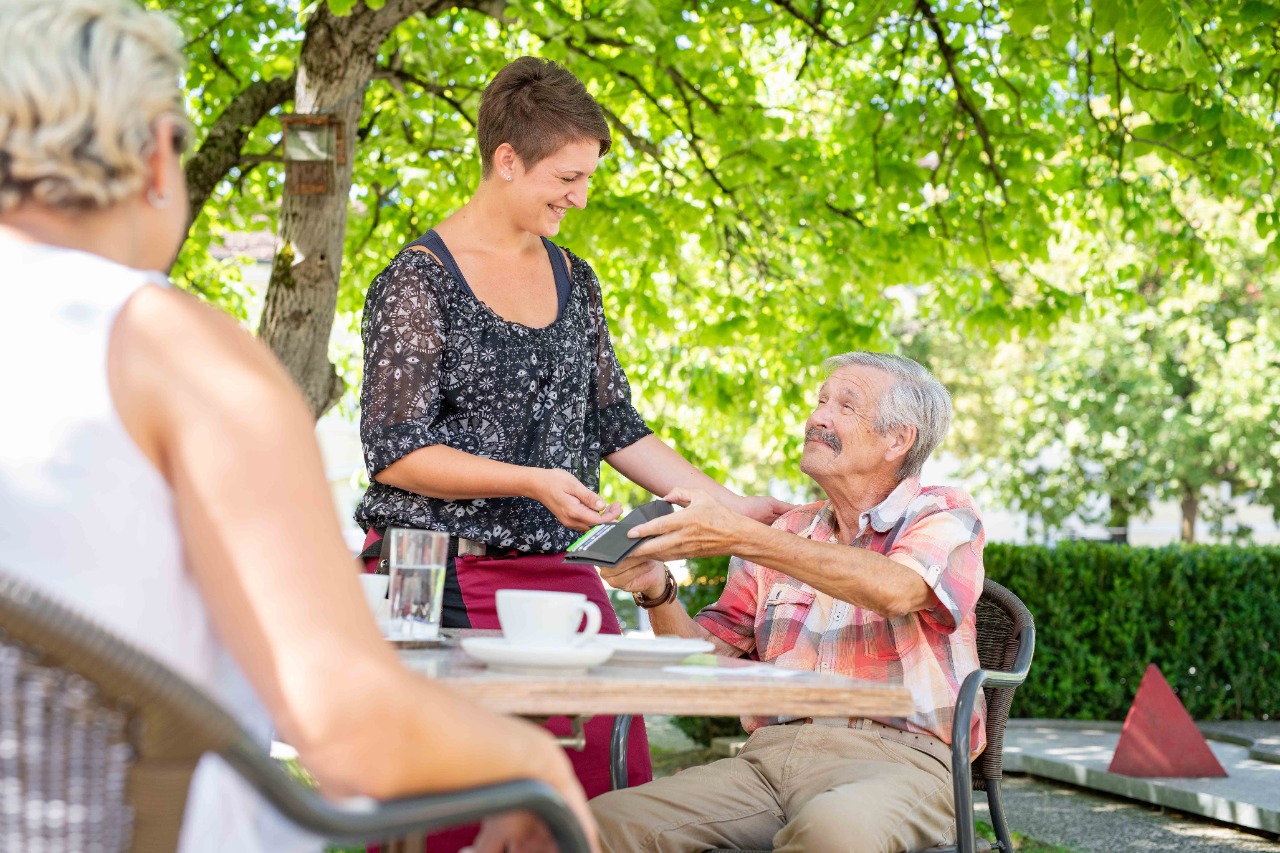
<point>856,576</point>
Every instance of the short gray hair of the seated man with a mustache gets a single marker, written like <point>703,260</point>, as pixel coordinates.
<point>916,400</point>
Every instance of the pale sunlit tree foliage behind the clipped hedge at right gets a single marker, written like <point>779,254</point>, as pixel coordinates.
<point>1174,399</point>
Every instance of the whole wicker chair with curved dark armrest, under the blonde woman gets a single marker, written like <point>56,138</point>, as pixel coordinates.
<point>99,741</point>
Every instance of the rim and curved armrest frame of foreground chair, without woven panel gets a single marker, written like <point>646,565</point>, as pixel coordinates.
<point>173,723</point>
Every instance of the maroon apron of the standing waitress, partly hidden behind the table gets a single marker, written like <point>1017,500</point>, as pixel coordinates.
<point>476,581</point>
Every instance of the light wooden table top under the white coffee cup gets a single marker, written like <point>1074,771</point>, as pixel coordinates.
<point>651,688</point>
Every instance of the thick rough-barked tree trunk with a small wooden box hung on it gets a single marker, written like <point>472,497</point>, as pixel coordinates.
<point>335,69</point>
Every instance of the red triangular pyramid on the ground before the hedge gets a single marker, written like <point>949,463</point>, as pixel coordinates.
<point>1160,738</point>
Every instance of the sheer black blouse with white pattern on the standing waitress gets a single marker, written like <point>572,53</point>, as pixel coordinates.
<point>441,368</point>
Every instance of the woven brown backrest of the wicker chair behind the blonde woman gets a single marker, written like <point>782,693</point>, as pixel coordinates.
<point>107,738</point>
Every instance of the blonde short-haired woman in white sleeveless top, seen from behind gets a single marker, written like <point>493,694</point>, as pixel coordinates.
<point>143,423</point>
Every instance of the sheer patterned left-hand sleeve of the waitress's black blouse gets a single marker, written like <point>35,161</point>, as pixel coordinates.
<point>404,335</point>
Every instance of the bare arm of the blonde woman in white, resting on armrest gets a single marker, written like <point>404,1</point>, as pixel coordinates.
<point>227,428</point>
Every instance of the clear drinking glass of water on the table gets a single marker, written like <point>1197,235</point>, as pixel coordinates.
<point>418,582</point>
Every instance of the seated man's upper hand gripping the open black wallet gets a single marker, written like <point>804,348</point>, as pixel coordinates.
<point>705,528</point>
